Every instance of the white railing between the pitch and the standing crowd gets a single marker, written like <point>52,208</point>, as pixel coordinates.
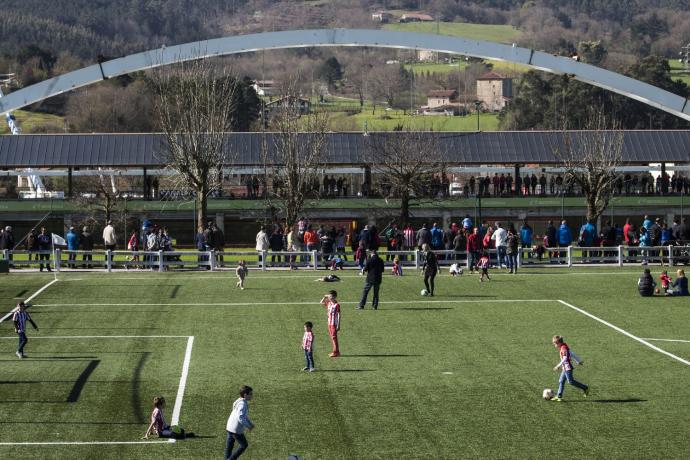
<point>569,256</point>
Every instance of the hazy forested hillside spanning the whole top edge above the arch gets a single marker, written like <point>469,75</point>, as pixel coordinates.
<point>86,28</point>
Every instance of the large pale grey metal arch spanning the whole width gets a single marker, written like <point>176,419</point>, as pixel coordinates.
<point>612,81</point>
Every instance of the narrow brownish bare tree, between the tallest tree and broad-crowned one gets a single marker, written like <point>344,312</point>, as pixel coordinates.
<point>293,155</point>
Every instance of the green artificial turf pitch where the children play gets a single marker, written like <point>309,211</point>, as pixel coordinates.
<point>459,375</point>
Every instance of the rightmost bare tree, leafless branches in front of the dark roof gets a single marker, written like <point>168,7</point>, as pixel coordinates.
<point>590,158</point>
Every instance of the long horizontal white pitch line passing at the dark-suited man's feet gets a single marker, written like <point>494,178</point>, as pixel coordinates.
<point>306,302</point>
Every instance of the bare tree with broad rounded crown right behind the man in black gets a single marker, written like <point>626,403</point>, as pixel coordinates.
<point>408,164</point>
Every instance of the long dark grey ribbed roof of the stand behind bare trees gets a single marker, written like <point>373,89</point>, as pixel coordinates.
<point>148,150</point>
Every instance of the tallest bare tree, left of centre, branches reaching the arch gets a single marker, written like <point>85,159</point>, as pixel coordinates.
<point>195,106</point>
